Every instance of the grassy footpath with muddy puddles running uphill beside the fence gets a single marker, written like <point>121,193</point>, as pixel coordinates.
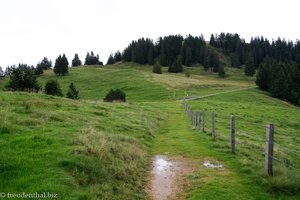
<point>178,170</point>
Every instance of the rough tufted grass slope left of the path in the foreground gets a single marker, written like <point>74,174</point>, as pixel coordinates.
<point>77,149</point>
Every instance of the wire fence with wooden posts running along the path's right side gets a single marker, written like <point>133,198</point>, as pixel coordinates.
<point>264,147</point>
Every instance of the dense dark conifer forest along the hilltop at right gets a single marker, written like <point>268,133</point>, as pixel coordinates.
<point>276,64</point>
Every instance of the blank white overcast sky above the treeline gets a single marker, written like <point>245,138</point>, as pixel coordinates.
<point>32,29</point>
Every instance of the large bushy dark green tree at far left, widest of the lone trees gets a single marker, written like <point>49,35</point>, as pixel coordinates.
<point>22,78</point>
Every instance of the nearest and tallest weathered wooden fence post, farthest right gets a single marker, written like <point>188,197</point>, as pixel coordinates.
<point>269,149</point>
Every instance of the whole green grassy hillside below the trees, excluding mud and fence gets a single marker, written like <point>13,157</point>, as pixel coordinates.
<point>88,149</point>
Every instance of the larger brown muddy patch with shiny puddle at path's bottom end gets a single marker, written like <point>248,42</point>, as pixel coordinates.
<point>164,182</point>
